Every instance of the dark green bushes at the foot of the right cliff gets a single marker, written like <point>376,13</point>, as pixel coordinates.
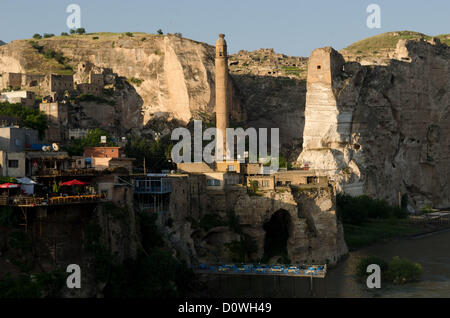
<point>357,210</point>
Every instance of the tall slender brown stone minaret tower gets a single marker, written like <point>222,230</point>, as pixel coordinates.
<point>221,92</point>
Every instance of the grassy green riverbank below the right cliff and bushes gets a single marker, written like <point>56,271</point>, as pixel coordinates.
<point>385,230</point>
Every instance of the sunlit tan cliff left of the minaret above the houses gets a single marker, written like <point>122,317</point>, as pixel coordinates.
<point>173,76</point>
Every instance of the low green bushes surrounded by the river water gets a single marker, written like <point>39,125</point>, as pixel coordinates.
<point>397,271</point>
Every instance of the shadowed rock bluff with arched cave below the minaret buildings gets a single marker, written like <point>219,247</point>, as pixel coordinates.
<point>233,226</point>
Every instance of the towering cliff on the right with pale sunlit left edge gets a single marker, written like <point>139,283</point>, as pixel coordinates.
<point>382,130</point>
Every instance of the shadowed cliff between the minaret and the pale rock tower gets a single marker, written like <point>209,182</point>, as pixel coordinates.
<point>273,88</point>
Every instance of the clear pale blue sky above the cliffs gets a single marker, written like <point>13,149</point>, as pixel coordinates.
<point>292,27</point>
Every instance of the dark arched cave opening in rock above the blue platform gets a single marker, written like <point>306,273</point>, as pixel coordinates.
<point>277,234</point>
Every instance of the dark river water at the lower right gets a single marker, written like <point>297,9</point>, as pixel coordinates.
<point>431,251</point>
